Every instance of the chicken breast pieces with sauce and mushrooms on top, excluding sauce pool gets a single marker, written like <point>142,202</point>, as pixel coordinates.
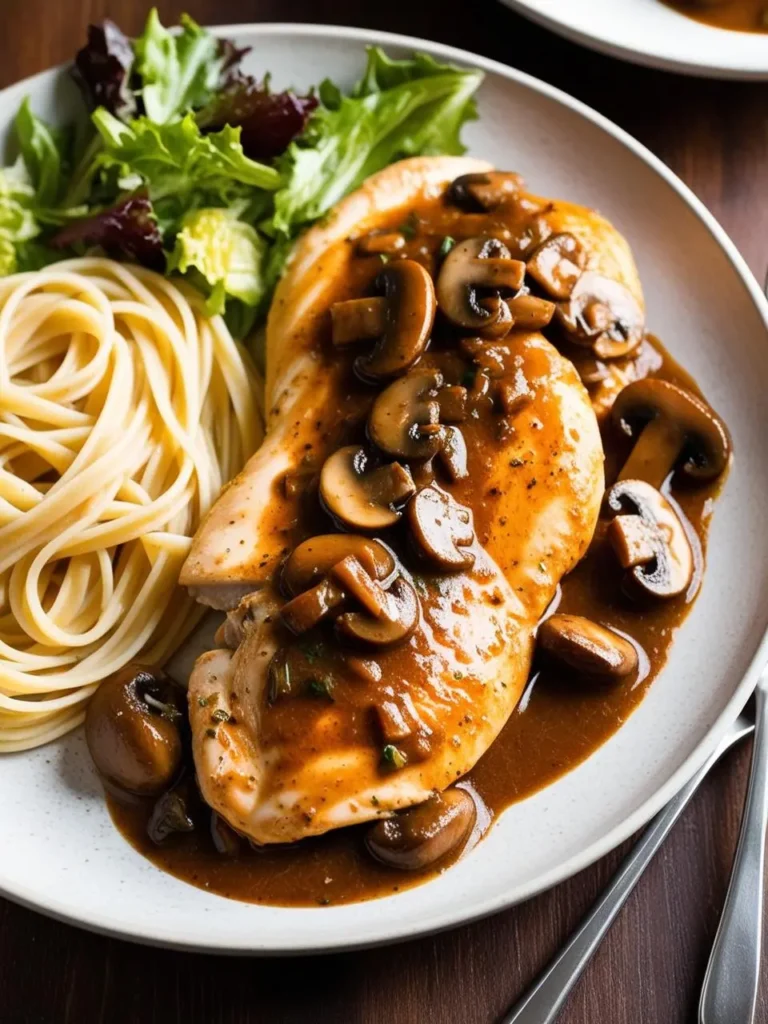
<point>488,475</point>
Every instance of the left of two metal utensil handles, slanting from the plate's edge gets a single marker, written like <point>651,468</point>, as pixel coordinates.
<point>544,1001</point>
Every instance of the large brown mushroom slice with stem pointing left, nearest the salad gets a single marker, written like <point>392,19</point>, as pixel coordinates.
<point>401,320</point>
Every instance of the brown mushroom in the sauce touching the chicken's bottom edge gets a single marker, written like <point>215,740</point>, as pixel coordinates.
<point>424,835</point>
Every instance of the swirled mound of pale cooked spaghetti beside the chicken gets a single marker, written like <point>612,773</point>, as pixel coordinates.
<point>123,411</point>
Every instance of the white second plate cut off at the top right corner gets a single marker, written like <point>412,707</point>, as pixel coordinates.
<point>651,33</point>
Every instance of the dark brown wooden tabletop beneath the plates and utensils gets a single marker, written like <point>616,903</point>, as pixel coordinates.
<point>650,970</point>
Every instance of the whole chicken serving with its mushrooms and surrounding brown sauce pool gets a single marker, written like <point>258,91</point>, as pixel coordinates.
<point>454,368</point>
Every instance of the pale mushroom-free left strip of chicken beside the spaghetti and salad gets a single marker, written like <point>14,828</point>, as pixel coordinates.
<point>236,550</point>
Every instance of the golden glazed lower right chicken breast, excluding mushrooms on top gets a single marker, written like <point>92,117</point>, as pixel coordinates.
<point>282,772</point>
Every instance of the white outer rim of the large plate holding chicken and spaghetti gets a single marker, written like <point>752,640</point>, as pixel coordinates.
<point>158,935</point>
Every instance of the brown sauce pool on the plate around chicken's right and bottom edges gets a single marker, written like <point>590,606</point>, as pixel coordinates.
<point>558,724</point>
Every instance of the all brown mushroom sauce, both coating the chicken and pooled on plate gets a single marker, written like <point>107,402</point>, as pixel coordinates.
<point>562,718</point>
